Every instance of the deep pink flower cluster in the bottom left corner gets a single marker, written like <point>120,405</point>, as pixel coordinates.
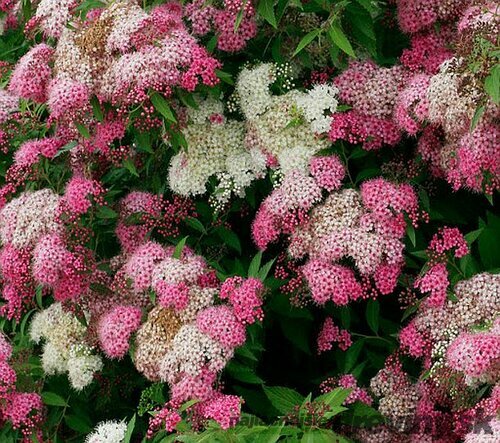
<point>24,410</point>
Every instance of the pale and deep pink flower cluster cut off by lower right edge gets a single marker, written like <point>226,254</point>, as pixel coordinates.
<point>446,334</point>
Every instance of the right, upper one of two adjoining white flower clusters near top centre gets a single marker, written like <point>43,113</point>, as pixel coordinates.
<point>284,125</point>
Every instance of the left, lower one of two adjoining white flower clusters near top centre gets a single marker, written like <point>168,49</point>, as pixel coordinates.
<point>214,149</point>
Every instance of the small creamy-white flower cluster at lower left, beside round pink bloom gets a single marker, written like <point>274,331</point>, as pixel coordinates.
<point>65,349</point>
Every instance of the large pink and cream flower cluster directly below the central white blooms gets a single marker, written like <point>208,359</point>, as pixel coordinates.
<point>367,226</point>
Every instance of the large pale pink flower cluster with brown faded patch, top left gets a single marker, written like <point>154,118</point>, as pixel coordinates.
<point>121,53</point>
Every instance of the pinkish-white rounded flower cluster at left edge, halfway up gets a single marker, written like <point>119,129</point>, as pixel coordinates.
<point>25,219</point>
